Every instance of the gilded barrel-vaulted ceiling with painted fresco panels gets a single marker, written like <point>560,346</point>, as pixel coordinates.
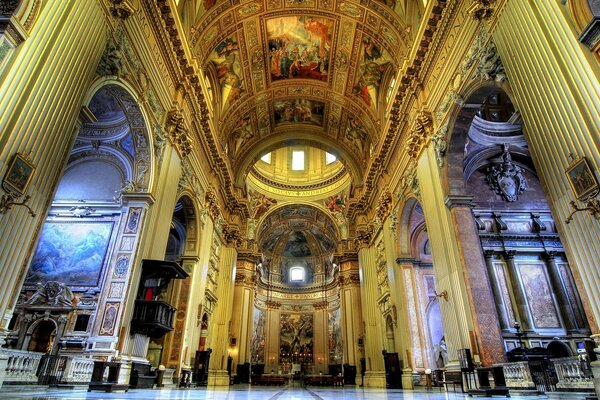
<point>303,70</point>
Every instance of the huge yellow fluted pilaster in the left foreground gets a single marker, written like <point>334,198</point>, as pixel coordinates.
<point>41,91</point>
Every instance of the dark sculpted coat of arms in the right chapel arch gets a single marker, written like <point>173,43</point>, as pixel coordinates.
<point>506,178</point>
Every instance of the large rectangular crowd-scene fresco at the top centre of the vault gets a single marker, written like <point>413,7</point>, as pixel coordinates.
<point>299,47</point>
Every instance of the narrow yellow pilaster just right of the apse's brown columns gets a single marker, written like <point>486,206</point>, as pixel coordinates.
<point>375,368</point>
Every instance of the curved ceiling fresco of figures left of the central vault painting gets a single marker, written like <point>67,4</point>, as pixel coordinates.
<point>226,60</point>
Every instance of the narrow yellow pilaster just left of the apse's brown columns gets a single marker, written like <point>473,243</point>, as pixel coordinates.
<point>217,372</point>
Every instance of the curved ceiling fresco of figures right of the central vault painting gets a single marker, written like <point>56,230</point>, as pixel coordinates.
<point>373,64</point>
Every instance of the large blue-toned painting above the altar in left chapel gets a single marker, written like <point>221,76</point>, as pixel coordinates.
<point>70,252</point>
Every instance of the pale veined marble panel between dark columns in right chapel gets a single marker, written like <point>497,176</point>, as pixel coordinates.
<point>539,296</point>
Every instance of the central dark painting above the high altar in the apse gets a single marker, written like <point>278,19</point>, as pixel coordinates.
<point>296,336</point>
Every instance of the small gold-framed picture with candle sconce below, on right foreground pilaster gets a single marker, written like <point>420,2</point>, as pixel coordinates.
<point>585,187</point>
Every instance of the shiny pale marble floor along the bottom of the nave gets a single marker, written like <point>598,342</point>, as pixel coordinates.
<point>244,392</point>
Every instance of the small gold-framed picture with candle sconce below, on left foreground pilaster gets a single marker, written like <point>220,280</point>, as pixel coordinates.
<point>15,183</point>
